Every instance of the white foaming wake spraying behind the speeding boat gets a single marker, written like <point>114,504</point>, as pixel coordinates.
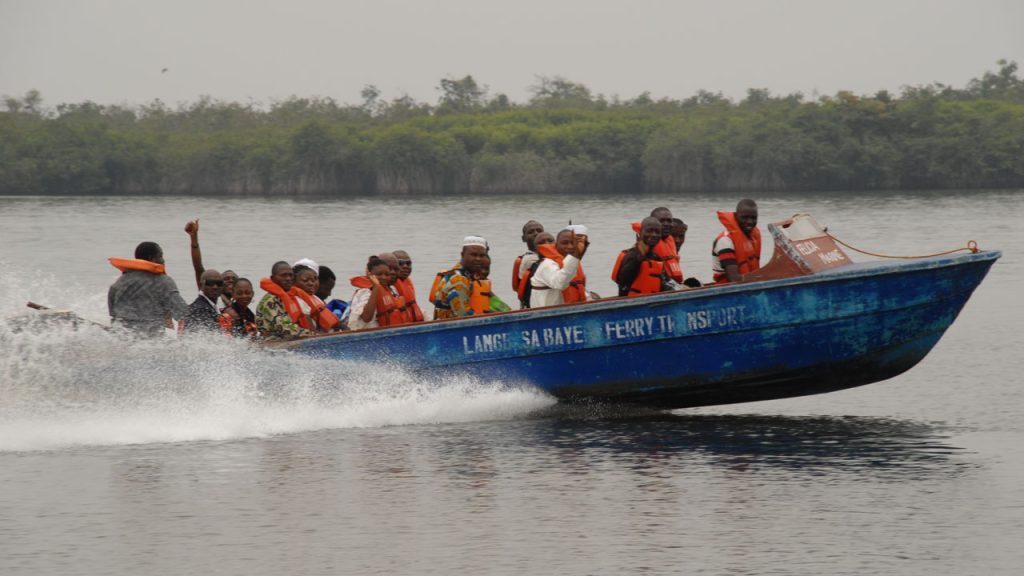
<point>64,386</point>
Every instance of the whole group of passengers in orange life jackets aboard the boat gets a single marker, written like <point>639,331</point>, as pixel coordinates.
<point>298,301</point>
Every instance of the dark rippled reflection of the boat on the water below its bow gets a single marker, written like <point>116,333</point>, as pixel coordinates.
<point>654,445</point>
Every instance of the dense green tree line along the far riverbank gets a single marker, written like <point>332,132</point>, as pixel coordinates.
<point>564,140</point>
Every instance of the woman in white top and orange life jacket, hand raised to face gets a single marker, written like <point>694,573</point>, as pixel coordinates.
<point>374,303</point>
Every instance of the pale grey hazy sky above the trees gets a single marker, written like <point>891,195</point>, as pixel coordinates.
<point>114,52</point>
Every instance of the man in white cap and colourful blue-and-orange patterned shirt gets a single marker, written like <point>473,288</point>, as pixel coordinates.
<point>454,290</point>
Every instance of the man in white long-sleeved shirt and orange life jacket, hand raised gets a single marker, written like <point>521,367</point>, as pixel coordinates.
<point>559,278</point>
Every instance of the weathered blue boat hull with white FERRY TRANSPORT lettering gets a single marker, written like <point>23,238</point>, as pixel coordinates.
<point>778,339</point>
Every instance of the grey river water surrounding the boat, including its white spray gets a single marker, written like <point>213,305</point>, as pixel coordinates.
<point>204,458</point>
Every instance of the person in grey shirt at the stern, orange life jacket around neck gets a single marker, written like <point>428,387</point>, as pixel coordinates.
<point>145,297</point>
